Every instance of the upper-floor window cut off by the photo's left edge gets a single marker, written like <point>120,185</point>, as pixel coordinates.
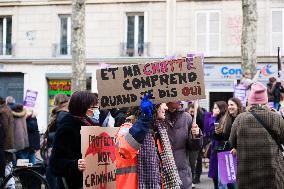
<point>6,35</point>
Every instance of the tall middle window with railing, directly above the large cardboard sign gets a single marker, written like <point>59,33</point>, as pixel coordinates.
<point>135,45</point>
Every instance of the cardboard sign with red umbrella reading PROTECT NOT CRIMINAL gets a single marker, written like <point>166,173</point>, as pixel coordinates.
<point>98,149</point>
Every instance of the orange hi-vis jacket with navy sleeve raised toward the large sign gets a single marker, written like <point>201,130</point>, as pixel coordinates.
<point>128,143</point>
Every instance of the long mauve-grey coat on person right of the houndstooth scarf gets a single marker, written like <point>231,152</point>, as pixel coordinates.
<point>181,140</point>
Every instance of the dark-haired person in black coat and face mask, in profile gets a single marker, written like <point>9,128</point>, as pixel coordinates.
<point>66,160</point>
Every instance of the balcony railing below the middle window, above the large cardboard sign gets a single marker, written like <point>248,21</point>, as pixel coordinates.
<point>131,50</point>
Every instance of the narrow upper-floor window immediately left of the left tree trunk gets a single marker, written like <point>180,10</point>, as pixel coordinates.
<point>65,34</point>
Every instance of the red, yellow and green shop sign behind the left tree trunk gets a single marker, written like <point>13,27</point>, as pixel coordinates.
<point>59,86</point>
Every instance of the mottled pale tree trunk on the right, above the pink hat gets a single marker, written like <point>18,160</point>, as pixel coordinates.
<point>249,36</point>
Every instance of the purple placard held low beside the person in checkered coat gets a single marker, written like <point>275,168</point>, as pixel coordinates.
<point>227,164</point>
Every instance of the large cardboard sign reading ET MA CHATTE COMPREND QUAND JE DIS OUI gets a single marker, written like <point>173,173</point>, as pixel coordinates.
<point>167,80</point>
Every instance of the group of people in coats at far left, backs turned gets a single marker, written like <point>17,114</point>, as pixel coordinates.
<point>19,134</point>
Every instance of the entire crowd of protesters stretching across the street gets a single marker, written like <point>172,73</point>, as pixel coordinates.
<point>166,134</point>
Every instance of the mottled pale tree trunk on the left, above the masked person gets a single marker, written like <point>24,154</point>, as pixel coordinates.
<point>78,46</point>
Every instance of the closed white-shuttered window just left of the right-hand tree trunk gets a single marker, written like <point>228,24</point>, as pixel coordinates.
<point>208,32</point>
